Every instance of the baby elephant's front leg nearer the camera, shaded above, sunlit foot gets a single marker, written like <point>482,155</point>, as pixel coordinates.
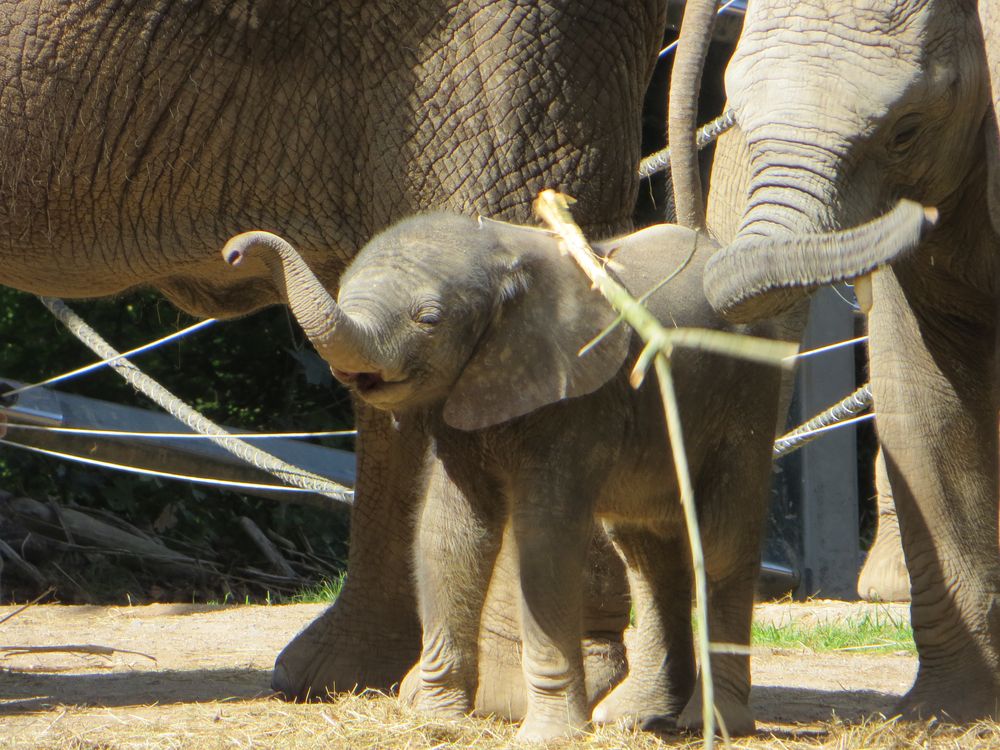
<point>552,552</point>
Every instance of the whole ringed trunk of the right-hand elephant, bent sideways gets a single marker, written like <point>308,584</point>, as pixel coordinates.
<point>781,253</point>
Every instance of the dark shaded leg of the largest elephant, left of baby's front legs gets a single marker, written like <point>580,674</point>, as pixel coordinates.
<point>371,634</point>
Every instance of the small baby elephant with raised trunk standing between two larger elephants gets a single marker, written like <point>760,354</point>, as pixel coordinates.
<point>476,326</point>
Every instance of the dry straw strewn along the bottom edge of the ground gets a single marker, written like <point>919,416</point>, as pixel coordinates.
<point>377,721</point>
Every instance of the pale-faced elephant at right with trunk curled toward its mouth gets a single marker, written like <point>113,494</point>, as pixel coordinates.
<point>845,107</point>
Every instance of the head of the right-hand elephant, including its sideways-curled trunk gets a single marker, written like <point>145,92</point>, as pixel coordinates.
<point>845,108</point>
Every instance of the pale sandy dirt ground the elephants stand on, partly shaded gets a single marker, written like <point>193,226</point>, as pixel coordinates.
<point>197,676</point>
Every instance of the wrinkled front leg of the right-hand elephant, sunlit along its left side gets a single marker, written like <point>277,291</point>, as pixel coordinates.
<point>937,425</point>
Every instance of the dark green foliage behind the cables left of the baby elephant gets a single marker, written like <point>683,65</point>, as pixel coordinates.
<point>254,373</point>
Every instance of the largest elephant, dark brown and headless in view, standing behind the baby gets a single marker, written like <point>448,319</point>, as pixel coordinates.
<point>138,136</point>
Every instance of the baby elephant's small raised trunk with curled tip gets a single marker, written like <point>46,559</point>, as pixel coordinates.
<point>339,339</point>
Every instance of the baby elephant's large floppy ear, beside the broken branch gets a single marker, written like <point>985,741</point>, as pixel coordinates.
<point>529,355</point>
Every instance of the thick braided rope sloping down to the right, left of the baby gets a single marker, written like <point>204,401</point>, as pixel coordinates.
<point>181,411</point>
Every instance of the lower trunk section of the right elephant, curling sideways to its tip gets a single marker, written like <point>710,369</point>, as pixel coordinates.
<point>758,276</point>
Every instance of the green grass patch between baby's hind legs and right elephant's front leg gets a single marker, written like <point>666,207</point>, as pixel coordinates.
<point>869,633</point>
